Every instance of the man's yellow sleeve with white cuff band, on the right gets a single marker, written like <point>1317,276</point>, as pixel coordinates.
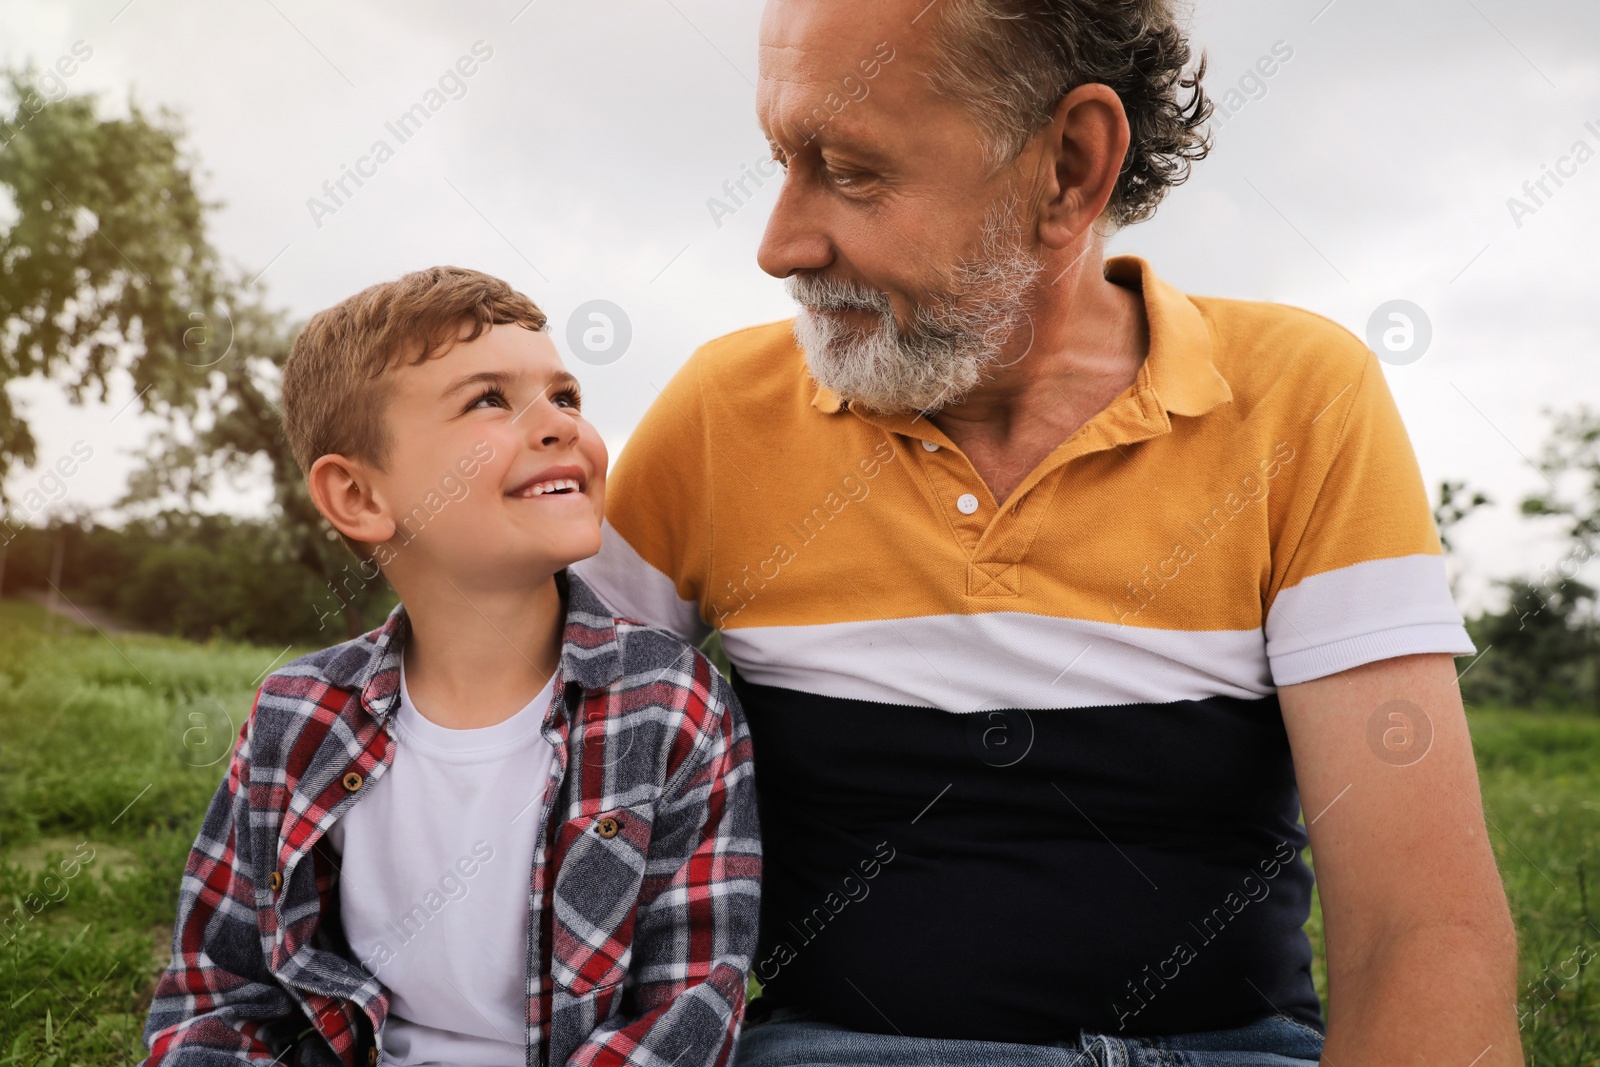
<point>1358,570</point>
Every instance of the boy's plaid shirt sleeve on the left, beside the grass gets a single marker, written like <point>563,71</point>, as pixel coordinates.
<point>218,1004</point>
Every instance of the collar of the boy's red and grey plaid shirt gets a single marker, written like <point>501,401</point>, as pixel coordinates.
<point>591,653</point>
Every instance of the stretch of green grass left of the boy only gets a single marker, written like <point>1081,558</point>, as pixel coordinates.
<point>108,759</point>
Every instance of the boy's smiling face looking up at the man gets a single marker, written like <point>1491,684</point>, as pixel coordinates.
<point>492,473</point>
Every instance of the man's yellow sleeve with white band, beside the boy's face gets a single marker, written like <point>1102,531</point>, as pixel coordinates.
<point>655,546</point>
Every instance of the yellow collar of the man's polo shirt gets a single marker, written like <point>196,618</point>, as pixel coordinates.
<point>1178,374</point>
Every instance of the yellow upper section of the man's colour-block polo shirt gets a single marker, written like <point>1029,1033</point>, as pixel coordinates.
<point>1258,447</point>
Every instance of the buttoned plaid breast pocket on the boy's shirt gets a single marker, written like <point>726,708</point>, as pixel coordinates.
<point>596,898</point>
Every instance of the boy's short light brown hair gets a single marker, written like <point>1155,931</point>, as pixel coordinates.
<point>337,385</point>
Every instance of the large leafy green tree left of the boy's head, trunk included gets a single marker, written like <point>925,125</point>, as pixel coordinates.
<point>105,273</point>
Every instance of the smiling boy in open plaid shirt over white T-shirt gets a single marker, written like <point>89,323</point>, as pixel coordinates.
<point>506,828</point>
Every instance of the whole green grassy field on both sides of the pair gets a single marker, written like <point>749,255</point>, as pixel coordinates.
<point>110,754</point>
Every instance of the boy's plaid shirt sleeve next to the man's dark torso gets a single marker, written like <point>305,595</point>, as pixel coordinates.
<point>697,925</point>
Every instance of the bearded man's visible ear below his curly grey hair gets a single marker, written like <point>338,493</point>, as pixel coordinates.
<point>1089,143</point>
